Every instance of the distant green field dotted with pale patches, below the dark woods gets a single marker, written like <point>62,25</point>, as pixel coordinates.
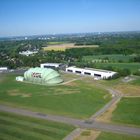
<point>110,58</point>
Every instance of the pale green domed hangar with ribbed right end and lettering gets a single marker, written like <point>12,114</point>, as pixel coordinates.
<point>42,76</point>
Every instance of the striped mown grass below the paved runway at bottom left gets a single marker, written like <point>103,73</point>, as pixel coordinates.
<point>15,127</point>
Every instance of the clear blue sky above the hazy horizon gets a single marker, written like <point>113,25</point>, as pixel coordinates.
<point>36,17</point>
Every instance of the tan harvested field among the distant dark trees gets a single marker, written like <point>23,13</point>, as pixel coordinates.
<point>63,47</point>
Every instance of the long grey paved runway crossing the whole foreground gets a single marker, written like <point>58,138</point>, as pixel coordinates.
<point>76,122</point>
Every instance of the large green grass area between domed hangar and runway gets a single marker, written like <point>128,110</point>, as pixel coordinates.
<point>78,99</point>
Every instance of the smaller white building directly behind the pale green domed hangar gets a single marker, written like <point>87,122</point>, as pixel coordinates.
<point>53,66</point>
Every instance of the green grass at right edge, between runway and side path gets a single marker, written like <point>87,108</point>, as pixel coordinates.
<point>127,111</point>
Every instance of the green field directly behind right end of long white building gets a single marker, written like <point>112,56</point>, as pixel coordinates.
<point>131,66</point>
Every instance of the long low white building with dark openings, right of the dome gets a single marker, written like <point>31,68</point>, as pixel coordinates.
<point>96,73</point>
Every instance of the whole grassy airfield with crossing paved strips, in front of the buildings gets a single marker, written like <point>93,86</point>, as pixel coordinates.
<point>81,106</point>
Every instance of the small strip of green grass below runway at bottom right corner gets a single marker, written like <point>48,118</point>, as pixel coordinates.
<point>113,136</point>
